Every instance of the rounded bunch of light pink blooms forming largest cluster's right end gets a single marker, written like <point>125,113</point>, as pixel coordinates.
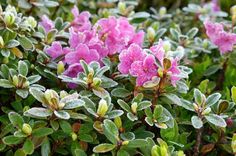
<point>117,34</point>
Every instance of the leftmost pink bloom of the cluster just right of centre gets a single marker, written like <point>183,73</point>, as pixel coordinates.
<point>127,57</point>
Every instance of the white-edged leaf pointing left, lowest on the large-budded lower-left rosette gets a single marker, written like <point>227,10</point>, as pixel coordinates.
<point>38,112</point>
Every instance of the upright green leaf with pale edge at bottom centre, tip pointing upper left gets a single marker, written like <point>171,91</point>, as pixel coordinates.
<point>110,131</point>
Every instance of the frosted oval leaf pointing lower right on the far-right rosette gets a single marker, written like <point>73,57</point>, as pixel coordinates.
<point>216,120</point>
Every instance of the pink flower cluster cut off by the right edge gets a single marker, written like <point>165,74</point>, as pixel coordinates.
<point>222,39</point>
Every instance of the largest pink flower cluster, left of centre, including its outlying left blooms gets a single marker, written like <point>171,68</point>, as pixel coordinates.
<point>108,36</point>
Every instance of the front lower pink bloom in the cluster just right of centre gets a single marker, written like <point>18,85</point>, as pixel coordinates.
<point>144,70</point>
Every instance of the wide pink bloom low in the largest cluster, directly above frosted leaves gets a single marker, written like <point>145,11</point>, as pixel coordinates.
<point>82,52</point>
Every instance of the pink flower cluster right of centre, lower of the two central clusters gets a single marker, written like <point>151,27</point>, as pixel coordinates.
<point>142,65</point>
